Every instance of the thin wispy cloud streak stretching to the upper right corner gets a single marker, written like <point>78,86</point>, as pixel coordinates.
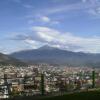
<point>90,7</point>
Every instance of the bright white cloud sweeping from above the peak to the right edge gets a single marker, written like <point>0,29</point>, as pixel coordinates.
<point>67,40</point>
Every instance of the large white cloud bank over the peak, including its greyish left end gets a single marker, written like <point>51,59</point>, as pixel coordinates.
<point>63,40</point>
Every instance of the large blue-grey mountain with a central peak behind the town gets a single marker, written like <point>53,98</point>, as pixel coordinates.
<point>51,55</point>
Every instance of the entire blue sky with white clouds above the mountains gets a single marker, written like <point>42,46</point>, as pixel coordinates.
<point>66,24</point>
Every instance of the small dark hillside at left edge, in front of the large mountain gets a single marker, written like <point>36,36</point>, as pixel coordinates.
<point>7,60</point>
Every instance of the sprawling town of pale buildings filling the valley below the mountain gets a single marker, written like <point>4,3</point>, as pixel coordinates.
<point>44,79</point>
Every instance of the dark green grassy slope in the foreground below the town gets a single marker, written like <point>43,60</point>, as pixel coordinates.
<point>93,95</point>
